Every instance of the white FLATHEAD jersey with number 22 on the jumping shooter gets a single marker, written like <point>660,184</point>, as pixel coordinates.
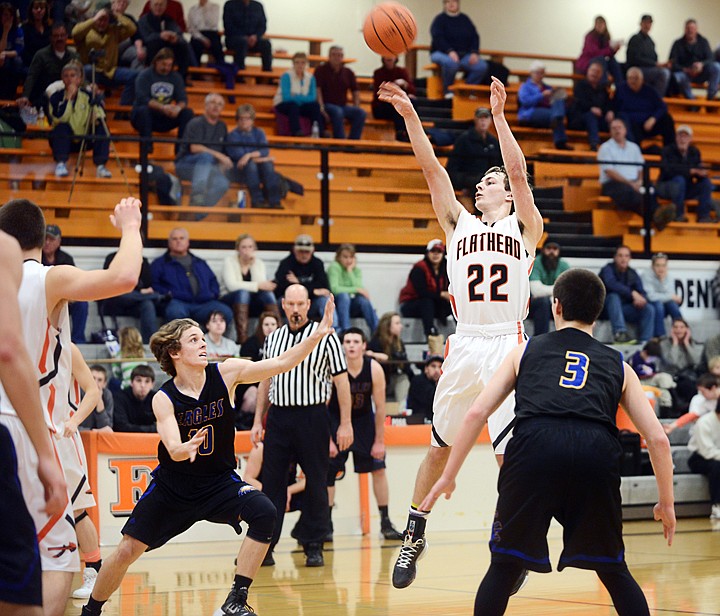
<point>489,271</point>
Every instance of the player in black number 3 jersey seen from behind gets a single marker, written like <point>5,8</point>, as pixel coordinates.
<point>564,458</point>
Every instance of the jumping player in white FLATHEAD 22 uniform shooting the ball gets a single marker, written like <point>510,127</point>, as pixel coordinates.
<point>489,263</point>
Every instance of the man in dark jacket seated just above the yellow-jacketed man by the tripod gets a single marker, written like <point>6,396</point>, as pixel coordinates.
<point>46,67</point>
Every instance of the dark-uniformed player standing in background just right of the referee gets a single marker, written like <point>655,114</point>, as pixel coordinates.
<point>367,385</point>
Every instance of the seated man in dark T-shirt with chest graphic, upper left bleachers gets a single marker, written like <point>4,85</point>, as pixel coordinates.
<point>160,99</point>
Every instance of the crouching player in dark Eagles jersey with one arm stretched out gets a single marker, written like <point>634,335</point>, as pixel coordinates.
<point>196,478</point>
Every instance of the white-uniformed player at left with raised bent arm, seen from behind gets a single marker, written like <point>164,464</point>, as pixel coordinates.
<point>43,297</point>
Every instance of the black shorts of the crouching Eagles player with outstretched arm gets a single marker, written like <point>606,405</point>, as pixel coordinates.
<point>173,502</point>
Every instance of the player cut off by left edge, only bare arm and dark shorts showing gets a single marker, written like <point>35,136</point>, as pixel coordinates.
<point>21,591</point>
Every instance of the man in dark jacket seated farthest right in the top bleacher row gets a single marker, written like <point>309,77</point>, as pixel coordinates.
<point>692,62</point>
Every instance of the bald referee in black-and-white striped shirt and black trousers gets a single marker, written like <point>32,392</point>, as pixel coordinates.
<point>298,423</point>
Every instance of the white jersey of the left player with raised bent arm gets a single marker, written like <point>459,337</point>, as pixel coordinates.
<point>48,347</point>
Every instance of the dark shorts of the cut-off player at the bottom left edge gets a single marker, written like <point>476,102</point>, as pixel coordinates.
<point>20,571</point>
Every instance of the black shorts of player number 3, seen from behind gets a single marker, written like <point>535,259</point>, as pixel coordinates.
<point>565,469</point>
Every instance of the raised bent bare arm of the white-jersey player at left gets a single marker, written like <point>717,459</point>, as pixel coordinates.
<point>65,282</point>
